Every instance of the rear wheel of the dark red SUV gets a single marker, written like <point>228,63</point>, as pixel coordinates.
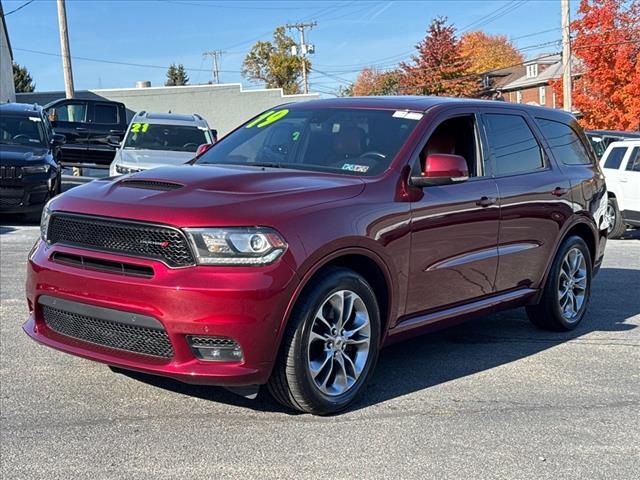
<point>566,294</point>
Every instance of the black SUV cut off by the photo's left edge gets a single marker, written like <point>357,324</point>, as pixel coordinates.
<point>29,167</point>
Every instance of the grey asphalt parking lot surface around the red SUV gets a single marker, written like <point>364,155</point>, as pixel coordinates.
<point>494,398</point>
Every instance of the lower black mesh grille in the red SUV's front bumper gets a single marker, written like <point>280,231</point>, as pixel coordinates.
<point>120,336</point>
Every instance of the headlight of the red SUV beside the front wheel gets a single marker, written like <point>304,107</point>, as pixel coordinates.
<point>236,246</point>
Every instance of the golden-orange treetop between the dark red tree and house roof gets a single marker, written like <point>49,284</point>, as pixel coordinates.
<point>488,52</point>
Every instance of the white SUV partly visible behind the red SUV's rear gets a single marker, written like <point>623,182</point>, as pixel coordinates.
<point>621,166</point>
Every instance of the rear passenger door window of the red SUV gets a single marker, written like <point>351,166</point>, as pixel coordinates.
<point>515,148</point>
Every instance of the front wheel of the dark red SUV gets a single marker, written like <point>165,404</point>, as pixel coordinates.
<point>330,346</point>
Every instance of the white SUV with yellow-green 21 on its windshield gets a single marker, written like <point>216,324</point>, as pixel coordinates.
<point>157,139</point>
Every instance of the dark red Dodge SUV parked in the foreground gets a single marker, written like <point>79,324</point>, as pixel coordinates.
<point>315,234</point>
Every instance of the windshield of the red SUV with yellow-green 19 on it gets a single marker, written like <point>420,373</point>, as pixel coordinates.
<point>350,141</point>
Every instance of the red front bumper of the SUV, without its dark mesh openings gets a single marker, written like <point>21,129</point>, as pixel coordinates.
<point>247,304</point>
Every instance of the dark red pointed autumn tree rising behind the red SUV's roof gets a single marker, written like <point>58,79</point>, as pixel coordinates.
<point>438,68</point>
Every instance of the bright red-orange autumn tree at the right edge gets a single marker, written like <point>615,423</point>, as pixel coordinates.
<point>607,44</point>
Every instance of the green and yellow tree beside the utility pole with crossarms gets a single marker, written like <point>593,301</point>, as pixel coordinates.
<point>274,64</point>
